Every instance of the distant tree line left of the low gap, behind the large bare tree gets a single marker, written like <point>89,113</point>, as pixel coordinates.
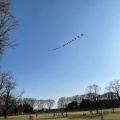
<point>27,106</point>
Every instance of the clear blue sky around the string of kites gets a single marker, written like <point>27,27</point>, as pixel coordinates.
<point>47,24</point>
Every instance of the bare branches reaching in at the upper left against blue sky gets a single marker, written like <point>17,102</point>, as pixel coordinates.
<point>7,23</point>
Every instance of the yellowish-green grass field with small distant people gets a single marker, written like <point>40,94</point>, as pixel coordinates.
<point>108,115</point>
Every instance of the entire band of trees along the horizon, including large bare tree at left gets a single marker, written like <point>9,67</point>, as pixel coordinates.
<point>91,100</point>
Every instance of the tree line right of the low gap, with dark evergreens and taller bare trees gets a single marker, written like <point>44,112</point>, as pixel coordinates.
<point>92,99</point>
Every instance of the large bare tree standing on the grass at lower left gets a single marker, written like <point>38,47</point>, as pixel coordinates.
<point>7,97</point>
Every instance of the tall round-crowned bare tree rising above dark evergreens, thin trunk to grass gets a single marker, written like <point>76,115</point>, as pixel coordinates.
<point>92,93</point>
